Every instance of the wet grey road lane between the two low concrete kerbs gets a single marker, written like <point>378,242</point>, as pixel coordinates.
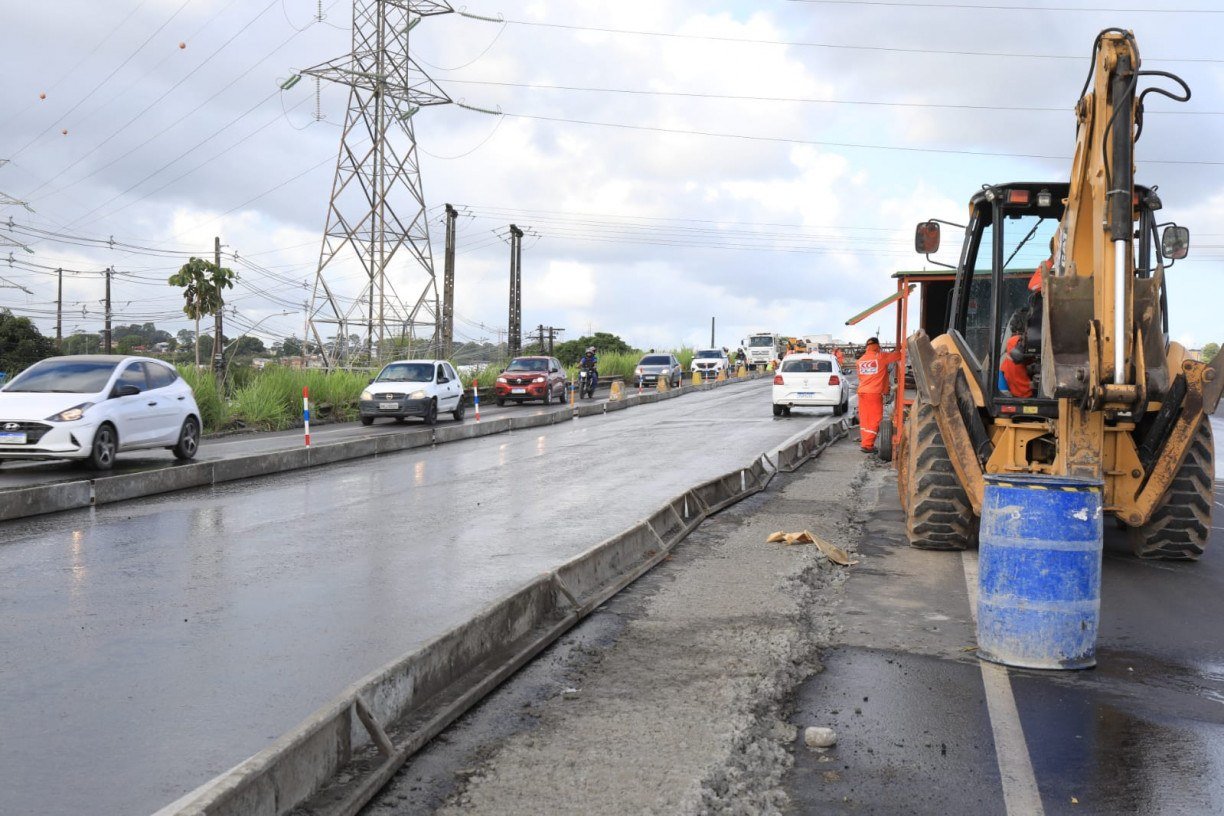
<point>150,645</point>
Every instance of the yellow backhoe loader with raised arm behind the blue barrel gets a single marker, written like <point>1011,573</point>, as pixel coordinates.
<point>1095,388</point>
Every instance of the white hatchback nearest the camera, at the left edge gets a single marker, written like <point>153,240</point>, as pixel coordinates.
<point>92,407</point>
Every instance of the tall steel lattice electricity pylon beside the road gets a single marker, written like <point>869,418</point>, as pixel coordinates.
<point>378,205</point>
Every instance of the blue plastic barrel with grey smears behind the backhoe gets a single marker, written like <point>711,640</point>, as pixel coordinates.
<point>1040,572</point>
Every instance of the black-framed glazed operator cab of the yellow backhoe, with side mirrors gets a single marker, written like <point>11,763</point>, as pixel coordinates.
<point>1013,231</point>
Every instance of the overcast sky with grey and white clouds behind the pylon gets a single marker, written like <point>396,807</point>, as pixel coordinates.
<point>759,162</point>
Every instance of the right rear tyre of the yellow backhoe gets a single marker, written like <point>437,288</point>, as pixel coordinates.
<point>1178,529</point>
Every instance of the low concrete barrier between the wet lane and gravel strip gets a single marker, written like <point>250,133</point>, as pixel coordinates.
<point>338,759</point>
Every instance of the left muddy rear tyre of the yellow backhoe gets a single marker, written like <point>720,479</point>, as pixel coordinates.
<point>938,513</point>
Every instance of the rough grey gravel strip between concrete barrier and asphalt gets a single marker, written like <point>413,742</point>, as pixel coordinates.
<point>674,698</point>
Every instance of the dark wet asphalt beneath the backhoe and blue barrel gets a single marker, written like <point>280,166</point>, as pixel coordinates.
<point>1143,733</point>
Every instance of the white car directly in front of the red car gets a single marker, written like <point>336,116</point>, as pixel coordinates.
<point>406,388</point>
